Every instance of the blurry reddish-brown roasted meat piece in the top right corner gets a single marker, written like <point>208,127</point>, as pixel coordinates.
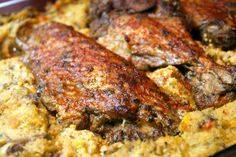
<point>215,19</point>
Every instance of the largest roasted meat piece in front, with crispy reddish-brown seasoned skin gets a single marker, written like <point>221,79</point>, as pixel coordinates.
<point>95,89</point>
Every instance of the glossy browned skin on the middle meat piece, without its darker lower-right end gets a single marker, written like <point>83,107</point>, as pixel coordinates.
<point>153,42</point>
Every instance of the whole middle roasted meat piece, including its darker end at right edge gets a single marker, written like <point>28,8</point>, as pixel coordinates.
<point>154,41</point>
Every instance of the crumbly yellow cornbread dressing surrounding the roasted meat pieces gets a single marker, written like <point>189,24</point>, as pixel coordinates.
<point>28,129</point>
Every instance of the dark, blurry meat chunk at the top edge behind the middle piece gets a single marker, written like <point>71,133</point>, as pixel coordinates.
<point>99,8</point>
